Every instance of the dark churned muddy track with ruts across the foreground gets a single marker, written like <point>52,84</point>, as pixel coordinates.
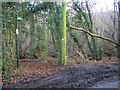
<point>82,75</point>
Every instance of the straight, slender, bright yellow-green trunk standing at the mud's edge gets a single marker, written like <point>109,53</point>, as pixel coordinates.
<point>63,58</point>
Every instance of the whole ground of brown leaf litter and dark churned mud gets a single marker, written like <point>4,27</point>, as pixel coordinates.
<point>36,74</point>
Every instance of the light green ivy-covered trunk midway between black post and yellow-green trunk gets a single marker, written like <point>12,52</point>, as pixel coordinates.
<point>41,52</point>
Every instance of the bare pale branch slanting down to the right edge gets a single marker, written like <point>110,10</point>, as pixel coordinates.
<point>94,35</point>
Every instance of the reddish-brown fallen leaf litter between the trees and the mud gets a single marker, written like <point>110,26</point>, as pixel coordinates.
<point>35,69</point>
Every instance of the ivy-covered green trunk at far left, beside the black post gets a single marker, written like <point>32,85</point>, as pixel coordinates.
<point>8,39</point>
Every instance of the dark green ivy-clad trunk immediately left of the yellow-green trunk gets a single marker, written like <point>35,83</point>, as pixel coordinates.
<point>55,26</point>
